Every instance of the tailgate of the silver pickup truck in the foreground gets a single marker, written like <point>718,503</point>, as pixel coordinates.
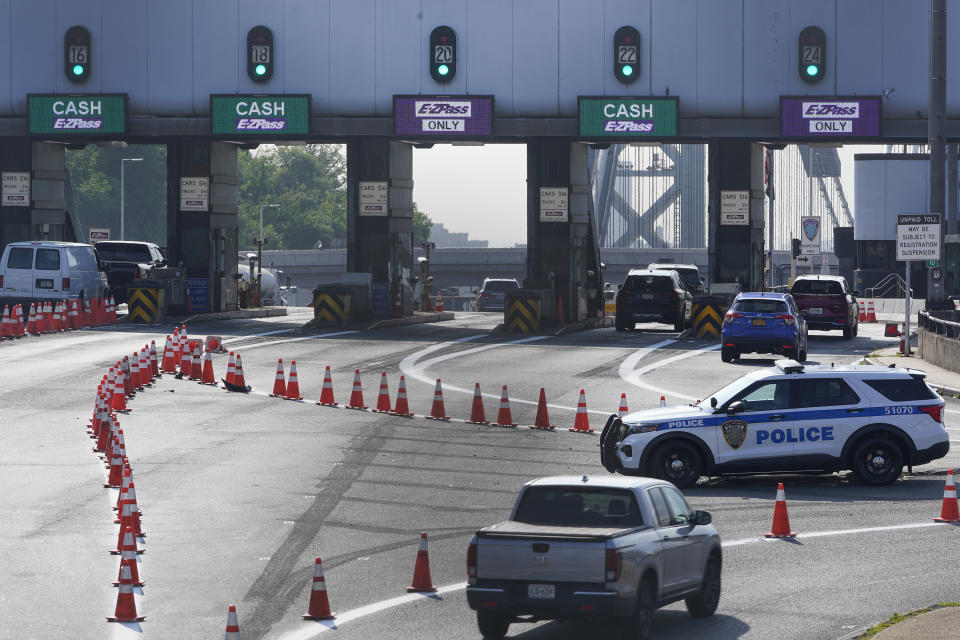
<point>517,551</point>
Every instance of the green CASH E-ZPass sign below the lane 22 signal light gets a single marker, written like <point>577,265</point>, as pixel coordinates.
<point>627,117</point>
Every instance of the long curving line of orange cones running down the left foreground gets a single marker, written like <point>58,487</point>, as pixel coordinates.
<point>128,376</point>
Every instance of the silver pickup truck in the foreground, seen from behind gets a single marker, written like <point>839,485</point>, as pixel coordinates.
<point>594,547</point>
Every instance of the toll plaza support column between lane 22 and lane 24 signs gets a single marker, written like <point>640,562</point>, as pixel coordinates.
<point>735,252</point>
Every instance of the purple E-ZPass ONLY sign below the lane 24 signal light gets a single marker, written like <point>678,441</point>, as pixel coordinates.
<point>829,117</point>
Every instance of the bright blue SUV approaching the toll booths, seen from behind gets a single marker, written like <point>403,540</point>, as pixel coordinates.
<point>763,323</point>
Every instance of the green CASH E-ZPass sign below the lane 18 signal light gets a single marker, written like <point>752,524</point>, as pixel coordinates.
<point>260,116</point>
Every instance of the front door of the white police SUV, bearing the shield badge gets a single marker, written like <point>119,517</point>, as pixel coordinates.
<point>762,431</point>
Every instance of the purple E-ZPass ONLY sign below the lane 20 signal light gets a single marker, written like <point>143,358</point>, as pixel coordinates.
<point>443,116</point>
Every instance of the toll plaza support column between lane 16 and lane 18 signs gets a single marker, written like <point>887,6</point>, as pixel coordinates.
<point>205,243</point>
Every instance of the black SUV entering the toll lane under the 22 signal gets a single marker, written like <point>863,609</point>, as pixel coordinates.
<point>649,295</point>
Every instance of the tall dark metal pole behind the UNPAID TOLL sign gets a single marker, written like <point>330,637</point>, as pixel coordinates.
<point>937,102</point>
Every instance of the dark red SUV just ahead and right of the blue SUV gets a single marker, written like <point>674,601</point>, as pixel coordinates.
<point>829,303</point>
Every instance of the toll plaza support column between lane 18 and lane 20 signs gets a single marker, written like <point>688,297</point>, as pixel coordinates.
<point>382,245</point>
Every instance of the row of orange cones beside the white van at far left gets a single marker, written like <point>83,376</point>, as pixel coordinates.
<point>56,316</point>
